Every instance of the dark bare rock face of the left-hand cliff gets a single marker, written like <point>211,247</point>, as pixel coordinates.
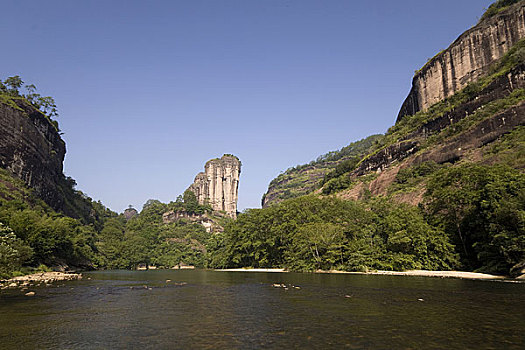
<point>32,149</point>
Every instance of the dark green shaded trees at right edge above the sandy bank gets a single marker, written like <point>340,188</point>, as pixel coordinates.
<point>483,208</point>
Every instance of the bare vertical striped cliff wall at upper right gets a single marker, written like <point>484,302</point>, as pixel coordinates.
<point>466,60</point>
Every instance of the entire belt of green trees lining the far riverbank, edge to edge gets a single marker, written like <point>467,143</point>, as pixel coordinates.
<point>472,218</point>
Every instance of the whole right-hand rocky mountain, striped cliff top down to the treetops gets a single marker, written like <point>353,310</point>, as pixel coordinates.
<point>465,104</point>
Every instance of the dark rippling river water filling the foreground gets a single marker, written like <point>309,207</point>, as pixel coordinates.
<point>225,310</point>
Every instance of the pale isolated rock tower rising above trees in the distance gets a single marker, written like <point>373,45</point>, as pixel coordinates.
<point>218,185</point>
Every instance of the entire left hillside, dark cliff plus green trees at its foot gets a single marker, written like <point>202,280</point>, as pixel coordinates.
<point>43,219</point>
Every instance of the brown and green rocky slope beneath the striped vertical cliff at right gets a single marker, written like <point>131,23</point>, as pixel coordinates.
<point>457,130</point>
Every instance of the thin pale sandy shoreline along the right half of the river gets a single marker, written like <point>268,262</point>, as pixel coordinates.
<point>417,273</point>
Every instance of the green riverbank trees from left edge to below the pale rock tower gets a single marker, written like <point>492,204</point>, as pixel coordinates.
<point>34,237</point>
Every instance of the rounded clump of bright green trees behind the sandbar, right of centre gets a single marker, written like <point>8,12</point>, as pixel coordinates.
<point>311,233</point>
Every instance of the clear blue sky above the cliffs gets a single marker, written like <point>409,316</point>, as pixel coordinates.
<point>148,91</point>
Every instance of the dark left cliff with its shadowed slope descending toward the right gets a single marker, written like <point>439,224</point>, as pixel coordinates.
<point>32,149</point>
